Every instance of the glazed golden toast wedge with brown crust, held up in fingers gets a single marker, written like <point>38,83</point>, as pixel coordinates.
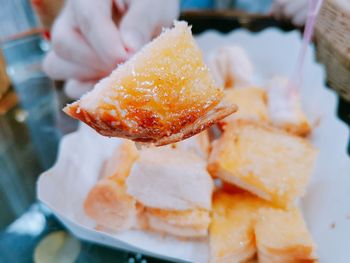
<point>163,94</point>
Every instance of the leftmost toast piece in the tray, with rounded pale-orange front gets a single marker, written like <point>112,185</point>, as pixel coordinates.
<point>107,202</point>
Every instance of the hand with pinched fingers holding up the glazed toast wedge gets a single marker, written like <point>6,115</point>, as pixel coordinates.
<point>91,37</point>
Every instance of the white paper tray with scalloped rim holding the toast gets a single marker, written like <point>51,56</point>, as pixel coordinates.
<point>326,205</point>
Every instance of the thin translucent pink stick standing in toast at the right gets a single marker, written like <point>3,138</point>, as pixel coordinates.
<point>296,79</point>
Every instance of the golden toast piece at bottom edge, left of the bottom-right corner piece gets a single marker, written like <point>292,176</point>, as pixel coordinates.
<point>231,232</point>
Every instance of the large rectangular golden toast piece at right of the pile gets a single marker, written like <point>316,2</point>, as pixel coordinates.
<point>264,160</point>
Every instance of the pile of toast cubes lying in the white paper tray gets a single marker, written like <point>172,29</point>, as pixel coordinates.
<point>238,191</point>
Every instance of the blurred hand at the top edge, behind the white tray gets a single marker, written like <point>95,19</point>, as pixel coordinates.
<point>295,10</point>
